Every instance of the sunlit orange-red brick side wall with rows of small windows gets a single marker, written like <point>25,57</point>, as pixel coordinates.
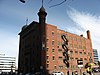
<point>77,43</point>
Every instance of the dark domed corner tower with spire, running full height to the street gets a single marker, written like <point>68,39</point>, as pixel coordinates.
<point>42,28</point>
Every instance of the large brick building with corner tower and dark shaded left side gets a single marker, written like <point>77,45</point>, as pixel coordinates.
<point>40,48</point>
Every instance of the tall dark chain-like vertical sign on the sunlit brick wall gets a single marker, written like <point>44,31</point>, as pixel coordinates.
<point>65,53</point>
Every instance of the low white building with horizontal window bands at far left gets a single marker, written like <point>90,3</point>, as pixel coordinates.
<point>7,64</point>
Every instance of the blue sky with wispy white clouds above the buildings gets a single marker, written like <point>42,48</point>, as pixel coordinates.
<point>75,16</point>
